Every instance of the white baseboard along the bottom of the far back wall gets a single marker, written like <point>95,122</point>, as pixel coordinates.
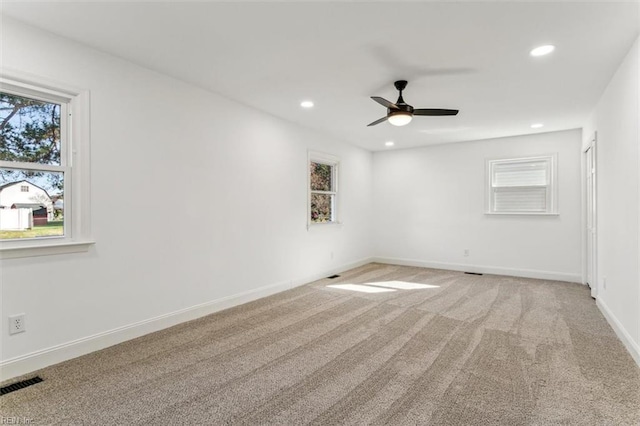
<point>496,270</point>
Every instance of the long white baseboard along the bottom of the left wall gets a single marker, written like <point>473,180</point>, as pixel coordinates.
<point>33,361</point>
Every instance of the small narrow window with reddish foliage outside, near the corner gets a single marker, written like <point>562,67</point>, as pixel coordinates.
<point>323,189</point>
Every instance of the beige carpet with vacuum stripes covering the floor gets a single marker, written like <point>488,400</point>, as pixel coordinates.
<point>459,350</point>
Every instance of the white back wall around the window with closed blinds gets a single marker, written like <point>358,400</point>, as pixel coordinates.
<point>429,205</point>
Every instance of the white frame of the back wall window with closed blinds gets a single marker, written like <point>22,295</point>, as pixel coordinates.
<point>551,185</point>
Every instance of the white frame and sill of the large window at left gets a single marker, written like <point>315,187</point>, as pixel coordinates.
<point>75,163</point>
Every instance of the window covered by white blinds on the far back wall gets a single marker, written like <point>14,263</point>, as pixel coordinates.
<point>522,186</point>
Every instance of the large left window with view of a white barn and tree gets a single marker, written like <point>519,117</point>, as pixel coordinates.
<point>44,173</point>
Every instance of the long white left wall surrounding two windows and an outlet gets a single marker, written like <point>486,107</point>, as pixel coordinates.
<point>195,200</point>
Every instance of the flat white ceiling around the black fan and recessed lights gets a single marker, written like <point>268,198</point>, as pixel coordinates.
<point>472,56</point>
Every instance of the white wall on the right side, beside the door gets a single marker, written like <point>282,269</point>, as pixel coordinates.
<point>616,120</point>
